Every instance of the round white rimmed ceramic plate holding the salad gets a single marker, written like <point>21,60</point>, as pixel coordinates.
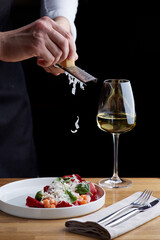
<point>13,199</point>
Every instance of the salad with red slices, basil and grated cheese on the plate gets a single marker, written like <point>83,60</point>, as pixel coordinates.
<point>66,191</point>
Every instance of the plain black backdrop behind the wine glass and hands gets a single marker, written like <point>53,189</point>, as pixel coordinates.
<point>113,41</point>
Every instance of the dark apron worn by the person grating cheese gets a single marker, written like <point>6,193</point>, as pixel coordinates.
<point>17,151</point>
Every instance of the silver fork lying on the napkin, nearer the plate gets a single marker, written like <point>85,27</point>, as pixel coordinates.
<point>139,202</point>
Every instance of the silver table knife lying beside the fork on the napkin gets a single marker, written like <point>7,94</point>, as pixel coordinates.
<point>131,213</point>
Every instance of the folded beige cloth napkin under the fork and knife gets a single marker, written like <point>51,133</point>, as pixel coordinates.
<point>88,225</point>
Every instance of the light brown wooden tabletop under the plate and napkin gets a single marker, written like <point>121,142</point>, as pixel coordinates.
<point>26,229</point>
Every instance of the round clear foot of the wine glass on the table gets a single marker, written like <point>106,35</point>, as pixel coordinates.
<point>110,183</point>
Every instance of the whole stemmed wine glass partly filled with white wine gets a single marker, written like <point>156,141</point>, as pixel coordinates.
<point>116,115</point>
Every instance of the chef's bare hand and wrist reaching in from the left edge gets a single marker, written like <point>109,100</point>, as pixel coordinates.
<point>48,40</point>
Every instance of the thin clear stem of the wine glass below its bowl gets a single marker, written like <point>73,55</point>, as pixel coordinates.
<point>115,176</point>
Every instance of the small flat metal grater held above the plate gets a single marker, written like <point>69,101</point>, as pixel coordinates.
<point>77,72</point>
